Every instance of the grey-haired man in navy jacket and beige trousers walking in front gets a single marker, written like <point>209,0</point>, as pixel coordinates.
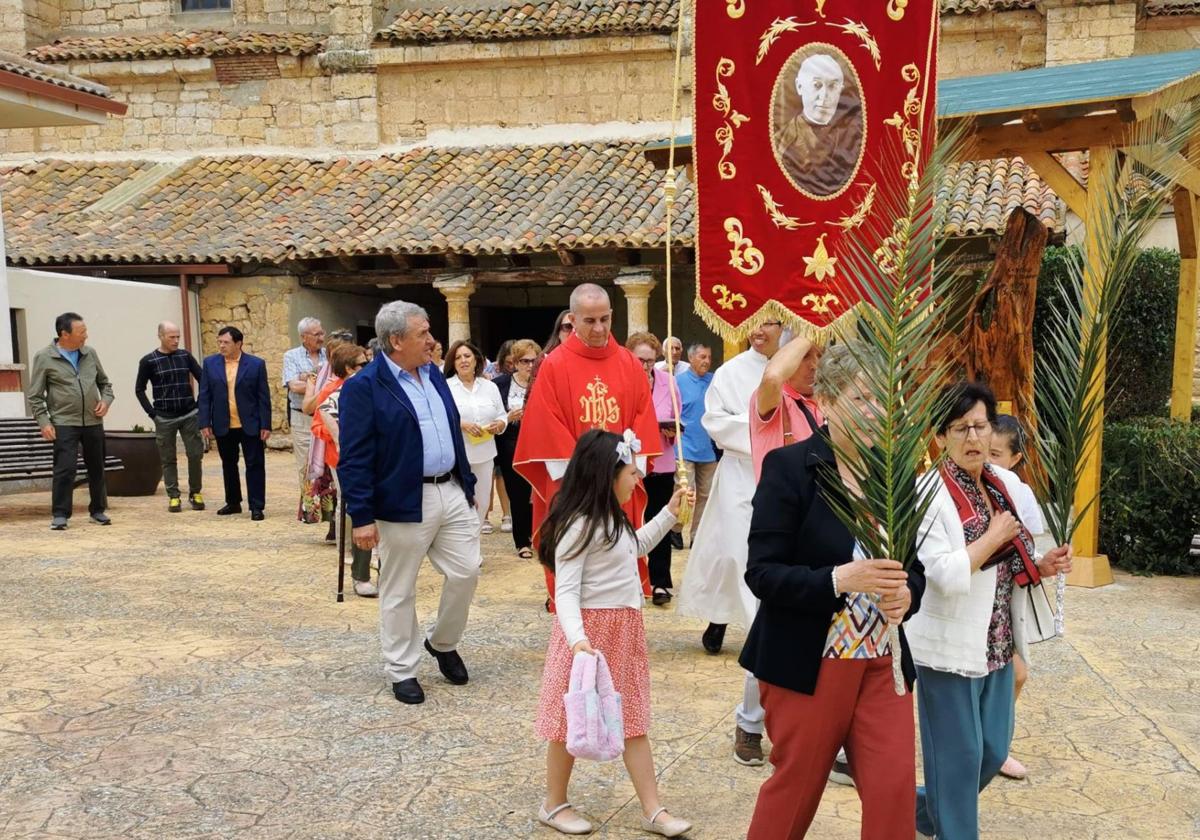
<point>410,490</point>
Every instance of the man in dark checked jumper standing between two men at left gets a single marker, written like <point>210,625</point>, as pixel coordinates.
<point>171,371</point>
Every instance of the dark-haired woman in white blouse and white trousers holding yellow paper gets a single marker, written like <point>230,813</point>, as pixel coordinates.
<point>483,416</point>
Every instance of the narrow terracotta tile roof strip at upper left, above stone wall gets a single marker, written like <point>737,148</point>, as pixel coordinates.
<point>184,44</point>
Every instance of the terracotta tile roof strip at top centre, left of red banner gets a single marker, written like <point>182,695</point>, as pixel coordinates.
<point>531,20</point>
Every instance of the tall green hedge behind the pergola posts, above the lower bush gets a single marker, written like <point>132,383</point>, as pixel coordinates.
<point>1143,335</point>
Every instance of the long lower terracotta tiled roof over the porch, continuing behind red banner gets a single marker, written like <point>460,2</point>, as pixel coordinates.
<point>495,201</point>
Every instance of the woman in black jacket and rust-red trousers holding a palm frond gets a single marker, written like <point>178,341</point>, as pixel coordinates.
<point>819,645</point>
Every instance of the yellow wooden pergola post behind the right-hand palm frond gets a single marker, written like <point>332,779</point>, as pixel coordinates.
<point>1091,569</point>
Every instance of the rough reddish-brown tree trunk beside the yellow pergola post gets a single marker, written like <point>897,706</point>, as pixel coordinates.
<point>1001,353</point>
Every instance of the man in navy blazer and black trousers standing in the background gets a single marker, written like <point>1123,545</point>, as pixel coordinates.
<point>236,409</point>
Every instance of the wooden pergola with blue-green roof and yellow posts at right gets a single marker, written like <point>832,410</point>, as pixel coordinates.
<point>1094,109</point>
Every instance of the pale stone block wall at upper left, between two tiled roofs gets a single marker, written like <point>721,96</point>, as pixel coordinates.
<point>181,105</point>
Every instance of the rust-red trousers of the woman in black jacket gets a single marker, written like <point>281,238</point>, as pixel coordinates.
<point>855,705</point>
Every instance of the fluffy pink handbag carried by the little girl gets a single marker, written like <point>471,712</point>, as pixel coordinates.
<point>596,728</point>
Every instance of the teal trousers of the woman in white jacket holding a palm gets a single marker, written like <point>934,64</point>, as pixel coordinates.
<point>967,728</point>
